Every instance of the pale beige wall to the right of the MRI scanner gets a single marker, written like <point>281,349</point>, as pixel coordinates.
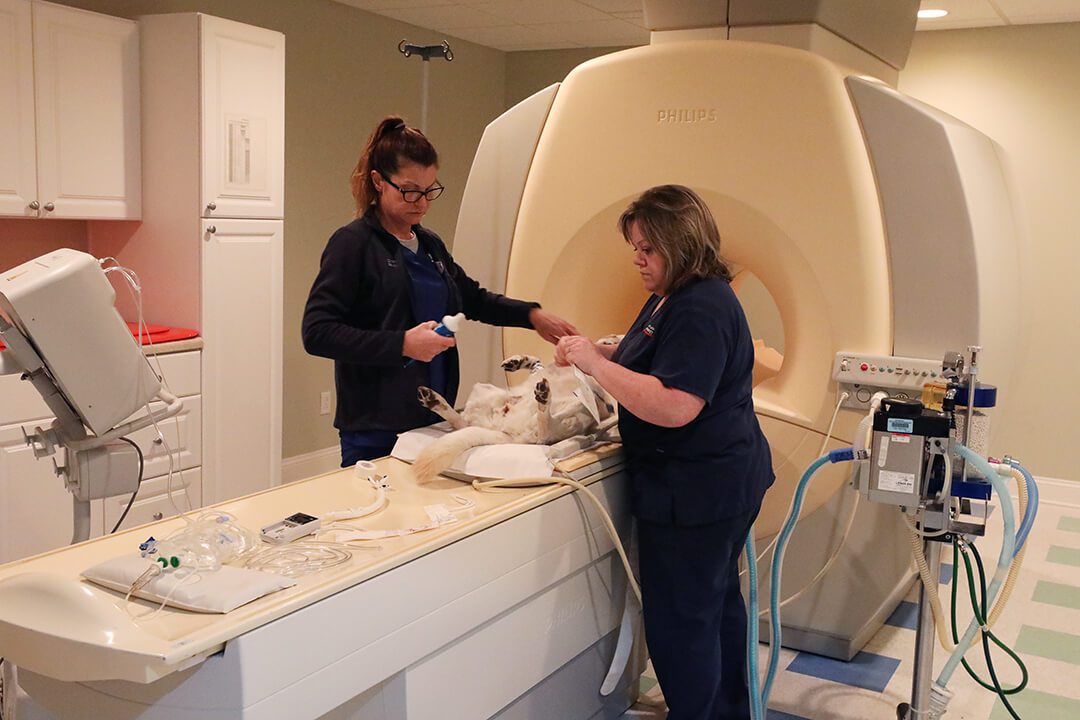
<point>1018,85</point>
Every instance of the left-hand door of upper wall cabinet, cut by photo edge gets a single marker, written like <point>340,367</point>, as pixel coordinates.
<point>19,179</point>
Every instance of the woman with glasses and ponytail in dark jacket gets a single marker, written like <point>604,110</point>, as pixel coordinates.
<point>384,283</point>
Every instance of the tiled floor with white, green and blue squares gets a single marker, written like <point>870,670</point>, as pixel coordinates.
<point>1042,623</point>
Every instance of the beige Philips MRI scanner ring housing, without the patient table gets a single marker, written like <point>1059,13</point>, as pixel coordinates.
<point>877,225</point>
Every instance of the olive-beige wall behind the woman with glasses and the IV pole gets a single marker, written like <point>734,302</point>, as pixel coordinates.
<point>343,74</point>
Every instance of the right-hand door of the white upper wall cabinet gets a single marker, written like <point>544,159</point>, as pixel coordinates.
<point>88,106</point>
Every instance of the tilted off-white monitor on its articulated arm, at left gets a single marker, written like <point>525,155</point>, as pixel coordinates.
<point>76,385</point>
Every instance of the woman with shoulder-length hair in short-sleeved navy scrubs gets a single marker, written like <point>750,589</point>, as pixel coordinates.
<point>699,464</point>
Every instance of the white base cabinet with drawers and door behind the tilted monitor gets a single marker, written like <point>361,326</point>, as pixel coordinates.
<point>36,511</point>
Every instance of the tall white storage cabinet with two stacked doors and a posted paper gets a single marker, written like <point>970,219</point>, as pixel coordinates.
<point>210,249</point>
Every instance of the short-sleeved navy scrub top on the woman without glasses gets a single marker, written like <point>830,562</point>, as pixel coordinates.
<point>719,465</point>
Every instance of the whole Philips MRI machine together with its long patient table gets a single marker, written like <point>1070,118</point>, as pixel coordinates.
<point>877,226</point>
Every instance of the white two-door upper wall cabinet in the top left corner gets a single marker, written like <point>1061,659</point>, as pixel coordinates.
<point>70,114</point>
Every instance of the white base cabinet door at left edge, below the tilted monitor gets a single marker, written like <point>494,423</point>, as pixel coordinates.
<point>36,511</point>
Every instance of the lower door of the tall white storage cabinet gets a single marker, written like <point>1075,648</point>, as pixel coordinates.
<point>242,349</point>
